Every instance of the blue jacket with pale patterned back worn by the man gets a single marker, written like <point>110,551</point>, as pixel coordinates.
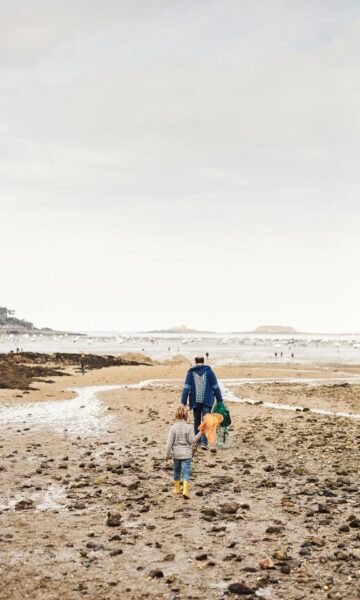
<point>201,386</point>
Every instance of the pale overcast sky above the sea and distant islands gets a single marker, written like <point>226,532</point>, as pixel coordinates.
<point>190,161</point>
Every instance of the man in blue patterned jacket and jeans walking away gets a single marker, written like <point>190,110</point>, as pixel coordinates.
<point>200,387</point>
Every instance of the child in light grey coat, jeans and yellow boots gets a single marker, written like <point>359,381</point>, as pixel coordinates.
<point>180,442</point>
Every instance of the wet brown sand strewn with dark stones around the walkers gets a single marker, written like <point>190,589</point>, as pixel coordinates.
<point>289,483</point>
